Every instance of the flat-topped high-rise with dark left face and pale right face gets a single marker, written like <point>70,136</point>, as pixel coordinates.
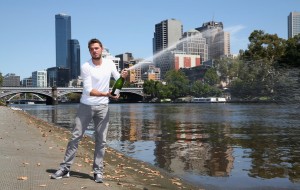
<point>167,34</point>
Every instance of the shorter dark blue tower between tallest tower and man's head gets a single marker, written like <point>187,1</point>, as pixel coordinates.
<point>74,58</point>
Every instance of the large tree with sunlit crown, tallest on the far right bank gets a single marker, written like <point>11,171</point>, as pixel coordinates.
<point>256,76</point>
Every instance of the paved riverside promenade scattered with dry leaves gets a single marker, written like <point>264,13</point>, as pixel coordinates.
<point>31,149</point>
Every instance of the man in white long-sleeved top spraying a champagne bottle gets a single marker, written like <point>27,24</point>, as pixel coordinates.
<point>96,74</point>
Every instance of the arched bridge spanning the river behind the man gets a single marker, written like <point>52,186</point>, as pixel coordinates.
<point>52,93</point>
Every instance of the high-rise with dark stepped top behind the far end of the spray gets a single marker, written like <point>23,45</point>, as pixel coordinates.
<point>218,41</point>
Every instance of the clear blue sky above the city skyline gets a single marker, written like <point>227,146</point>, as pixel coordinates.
<point>27,37</point>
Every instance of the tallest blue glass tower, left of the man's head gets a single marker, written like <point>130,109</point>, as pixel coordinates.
<point>62,37</point>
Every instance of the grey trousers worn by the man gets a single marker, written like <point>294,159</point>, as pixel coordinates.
<point>100,116</point>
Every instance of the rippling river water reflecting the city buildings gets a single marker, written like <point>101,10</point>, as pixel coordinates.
<point>217,146</point>
